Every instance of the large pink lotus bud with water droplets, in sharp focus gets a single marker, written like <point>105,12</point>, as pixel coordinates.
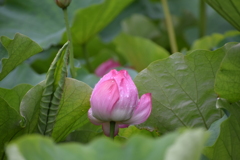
<point>115,98</point>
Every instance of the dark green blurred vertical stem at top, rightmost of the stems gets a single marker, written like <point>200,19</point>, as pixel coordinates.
<point>202,24</point>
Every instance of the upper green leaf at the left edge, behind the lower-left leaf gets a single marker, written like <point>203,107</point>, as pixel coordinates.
<point>14,96</point>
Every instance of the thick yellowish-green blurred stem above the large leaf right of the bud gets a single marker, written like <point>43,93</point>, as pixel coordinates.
<point>170,28</point>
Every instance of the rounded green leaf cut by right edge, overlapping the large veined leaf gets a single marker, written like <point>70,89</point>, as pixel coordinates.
<point>227,84</point>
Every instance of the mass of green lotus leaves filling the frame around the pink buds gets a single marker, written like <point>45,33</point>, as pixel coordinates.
<point>195,91</point>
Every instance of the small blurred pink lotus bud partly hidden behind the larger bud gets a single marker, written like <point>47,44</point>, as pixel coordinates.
<point>106,66</point>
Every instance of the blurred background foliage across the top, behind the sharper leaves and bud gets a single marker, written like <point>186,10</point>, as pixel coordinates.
<point>140,21</point>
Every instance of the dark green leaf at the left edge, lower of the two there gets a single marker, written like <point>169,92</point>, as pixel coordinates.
<point>10,124</point>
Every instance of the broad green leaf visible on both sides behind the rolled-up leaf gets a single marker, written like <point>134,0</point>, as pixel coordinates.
<point>74,104</point>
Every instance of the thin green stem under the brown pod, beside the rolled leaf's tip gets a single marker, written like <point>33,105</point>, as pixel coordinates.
<point>71,58</point>
